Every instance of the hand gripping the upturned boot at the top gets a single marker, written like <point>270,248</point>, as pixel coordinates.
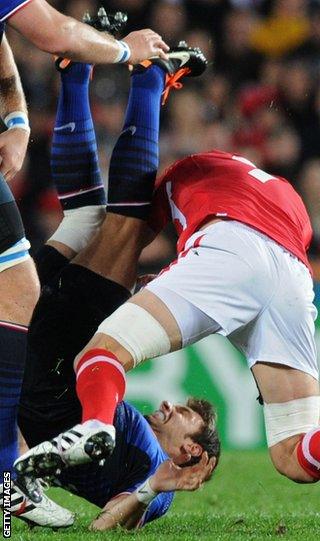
<point>144,44</point>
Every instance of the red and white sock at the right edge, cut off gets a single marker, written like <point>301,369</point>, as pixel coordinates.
<point>308,453</point>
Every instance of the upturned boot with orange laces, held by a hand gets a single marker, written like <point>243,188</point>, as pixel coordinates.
<point>183,61</point>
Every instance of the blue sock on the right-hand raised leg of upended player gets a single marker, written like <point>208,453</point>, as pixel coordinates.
<point>135,158</point>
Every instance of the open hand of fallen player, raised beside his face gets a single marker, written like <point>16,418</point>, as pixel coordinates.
<point>170,477</point>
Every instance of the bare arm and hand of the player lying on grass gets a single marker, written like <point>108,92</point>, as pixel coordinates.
<point>127,510</point>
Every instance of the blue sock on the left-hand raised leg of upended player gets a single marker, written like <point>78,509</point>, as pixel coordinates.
<point>74,159</point>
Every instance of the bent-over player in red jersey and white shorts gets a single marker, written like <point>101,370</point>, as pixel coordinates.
<point>242,272</point>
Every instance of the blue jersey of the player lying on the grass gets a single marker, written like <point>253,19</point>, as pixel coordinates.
<point>136,456</point>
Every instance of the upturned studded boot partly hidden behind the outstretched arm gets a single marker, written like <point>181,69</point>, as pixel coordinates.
<point>113,23</point>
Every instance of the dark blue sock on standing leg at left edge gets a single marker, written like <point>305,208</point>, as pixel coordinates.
<point>13,343</point>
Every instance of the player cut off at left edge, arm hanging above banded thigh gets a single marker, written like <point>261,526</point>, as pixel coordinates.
<point>19,287</point>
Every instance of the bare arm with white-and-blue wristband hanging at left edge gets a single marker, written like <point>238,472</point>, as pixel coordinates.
<point>13,141</point>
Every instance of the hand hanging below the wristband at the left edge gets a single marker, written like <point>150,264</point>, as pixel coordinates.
<point>13,147</point>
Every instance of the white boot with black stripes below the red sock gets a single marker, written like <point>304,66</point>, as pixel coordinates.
<point>79,445</point>
